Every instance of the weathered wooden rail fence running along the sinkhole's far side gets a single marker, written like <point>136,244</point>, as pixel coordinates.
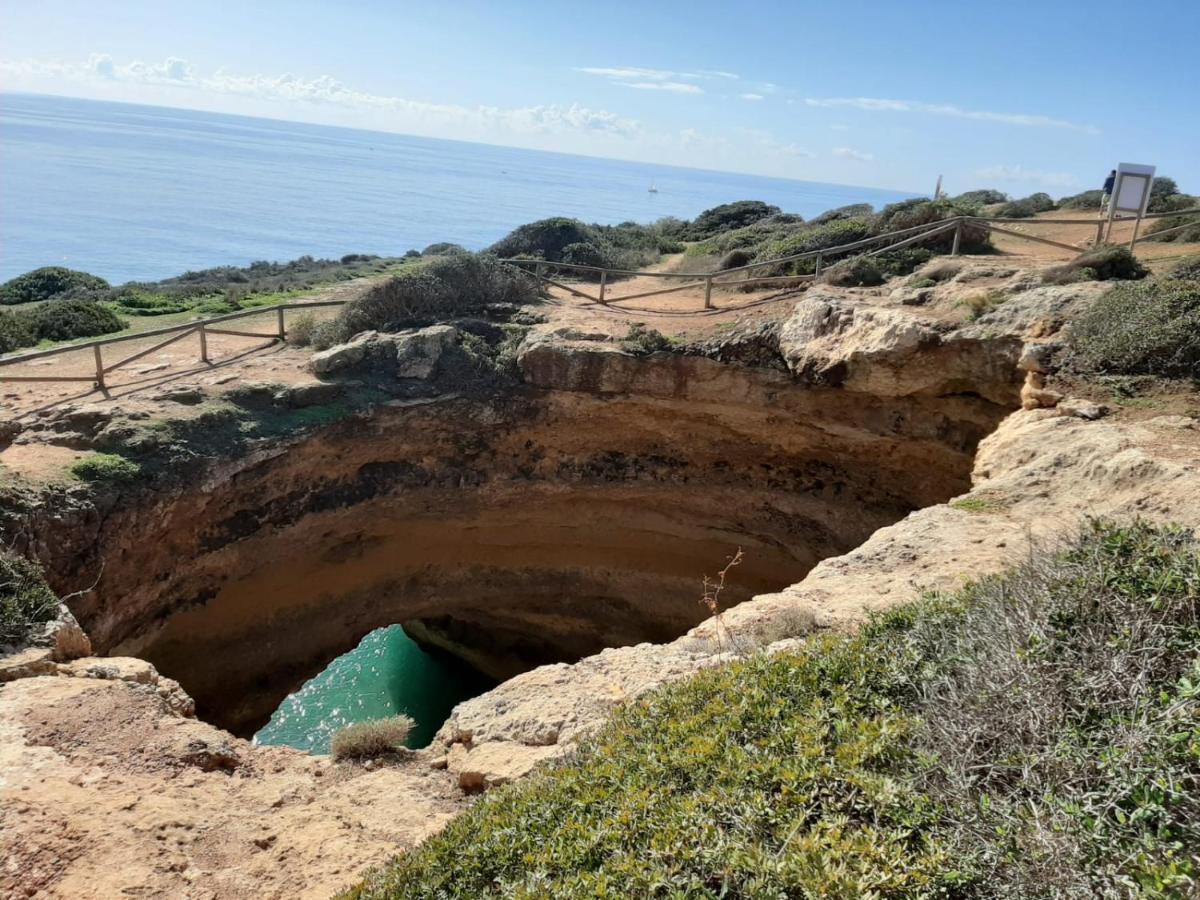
<point>741,275</point>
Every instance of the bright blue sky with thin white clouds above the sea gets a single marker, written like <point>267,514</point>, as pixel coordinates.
<point>1024,97</point>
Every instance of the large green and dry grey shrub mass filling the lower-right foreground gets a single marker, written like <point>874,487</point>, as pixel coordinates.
<point>1031,735</point>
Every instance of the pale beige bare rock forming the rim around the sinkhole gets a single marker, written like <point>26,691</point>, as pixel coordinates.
<point>111,787</point>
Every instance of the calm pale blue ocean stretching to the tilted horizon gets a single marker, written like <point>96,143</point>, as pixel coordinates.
<point>135,193</point>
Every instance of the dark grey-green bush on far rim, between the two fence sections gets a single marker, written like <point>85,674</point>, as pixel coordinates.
<point>440,289</point>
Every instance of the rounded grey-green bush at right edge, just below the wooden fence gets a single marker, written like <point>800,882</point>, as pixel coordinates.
<point>1149,329</point>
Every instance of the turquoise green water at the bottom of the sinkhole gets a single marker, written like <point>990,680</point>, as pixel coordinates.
<point>386,675</point>
